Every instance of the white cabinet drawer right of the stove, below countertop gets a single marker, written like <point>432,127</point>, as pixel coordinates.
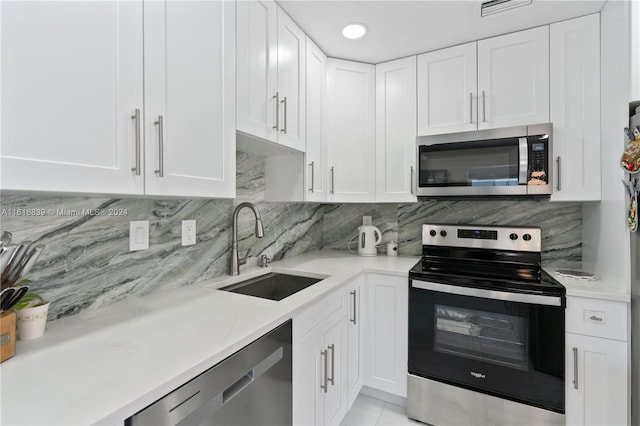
<point>599,318</point>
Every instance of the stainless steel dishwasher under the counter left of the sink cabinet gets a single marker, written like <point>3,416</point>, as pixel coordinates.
<point>251,387</point>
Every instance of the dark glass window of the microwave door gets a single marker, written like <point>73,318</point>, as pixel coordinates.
<point>482,163</point>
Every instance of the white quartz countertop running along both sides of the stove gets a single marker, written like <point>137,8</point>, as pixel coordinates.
<point>104,365</point>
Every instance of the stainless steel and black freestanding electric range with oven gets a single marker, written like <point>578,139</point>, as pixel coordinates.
<point>486,329</point>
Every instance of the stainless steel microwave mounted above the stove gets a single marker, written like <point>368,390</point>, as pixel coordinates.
<point>511,161</point>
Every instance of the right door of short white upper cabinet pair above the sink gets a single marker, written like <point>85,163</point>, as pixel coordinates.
<point>291,87</point>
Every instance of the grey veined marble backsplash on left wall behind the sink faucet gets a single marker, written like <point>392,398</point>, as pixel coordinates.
<point>87,263</point>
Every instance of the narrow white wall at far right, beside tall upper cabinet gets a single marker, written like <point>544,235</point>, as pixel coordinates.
<point>605,239</point>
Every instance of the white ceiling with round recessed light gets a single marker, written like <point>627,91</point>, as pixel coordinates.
<point>402,28</point>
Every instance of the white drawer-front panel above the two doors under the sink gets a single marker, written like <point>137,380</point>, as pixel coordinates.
<point>308,321</point>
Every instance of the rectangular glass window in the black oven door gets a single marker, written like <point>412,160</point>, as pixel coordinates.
<point>486,336</point>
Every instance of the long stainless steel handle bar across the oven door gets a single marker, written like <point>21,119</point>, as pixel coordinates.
<point>489,294</point>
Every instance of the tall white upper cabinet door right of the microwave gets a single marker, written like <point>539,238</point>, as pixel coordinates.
<point>575,108</point>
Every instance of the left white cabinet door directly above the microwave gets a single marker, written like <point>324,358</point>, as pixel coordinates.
<point>447,90</point>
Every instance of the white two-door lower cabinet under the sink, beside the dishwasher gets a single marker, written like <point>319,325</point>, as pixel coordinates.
<point>320,363</point>
